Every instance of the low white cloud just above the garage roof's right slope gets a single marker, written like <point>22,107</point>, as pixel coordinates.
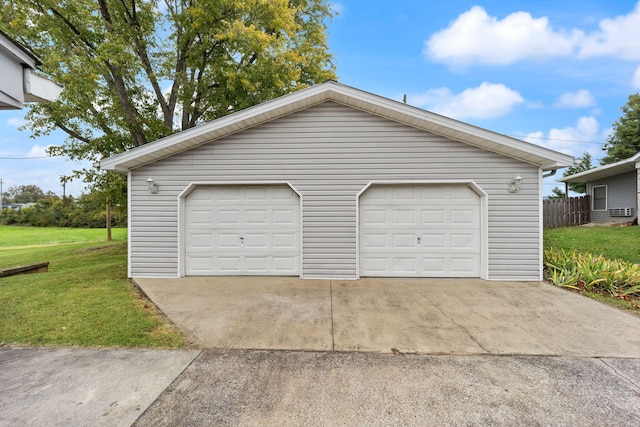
<point>489,100</point>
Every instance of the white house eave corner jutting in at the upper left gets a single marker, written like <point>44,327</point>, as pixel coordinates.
<point>19,82</point>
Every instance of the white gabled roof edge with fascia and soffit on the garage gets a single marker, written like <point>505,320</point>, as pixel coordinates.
<point>345,95</point>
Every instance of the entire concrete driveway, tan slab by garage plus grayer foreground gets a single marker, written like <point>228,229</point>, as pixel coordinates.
<point>499,353</point>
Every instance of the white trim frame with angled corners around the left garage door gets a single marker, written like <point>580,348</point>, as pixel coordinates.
<point>182,215</point>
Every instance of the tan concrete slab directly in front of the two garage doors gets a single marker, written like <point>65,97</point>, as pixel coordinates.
<point>426,316</point>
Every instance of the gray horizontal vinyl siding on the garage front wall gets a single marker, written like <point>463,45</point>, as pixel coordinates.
<point>329,153</point>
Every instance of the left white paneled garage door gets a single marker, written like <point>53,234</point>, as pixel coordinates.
<point>242,230</point>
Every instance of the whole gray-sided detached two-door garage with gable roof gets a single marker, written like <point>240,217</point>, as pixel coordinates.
<point>336,183</point>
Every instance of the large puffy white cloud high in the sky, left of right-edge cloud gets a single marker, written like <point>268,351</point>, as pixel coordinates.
<point>477,38</point>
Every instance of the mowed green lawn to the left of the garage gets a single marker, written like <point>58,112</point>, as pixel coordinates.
<point>84,300</point>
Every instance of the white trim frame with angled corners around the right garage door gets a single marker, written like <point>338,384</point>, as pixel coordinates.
<point>484,214</point>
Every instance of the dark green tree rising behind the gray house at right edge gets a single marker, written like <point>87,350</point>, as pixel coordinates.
<point>624,141</point>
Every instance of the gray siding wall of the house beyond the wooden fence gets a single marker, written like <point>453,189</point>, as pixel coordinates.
<point>621,193</point>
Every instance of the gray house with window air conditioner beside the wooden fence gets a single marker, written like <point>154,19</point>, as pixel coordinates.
<point>613,189</point>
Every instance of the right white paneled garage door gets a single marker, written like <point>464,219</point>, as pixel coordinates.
<point>420,231</point>
